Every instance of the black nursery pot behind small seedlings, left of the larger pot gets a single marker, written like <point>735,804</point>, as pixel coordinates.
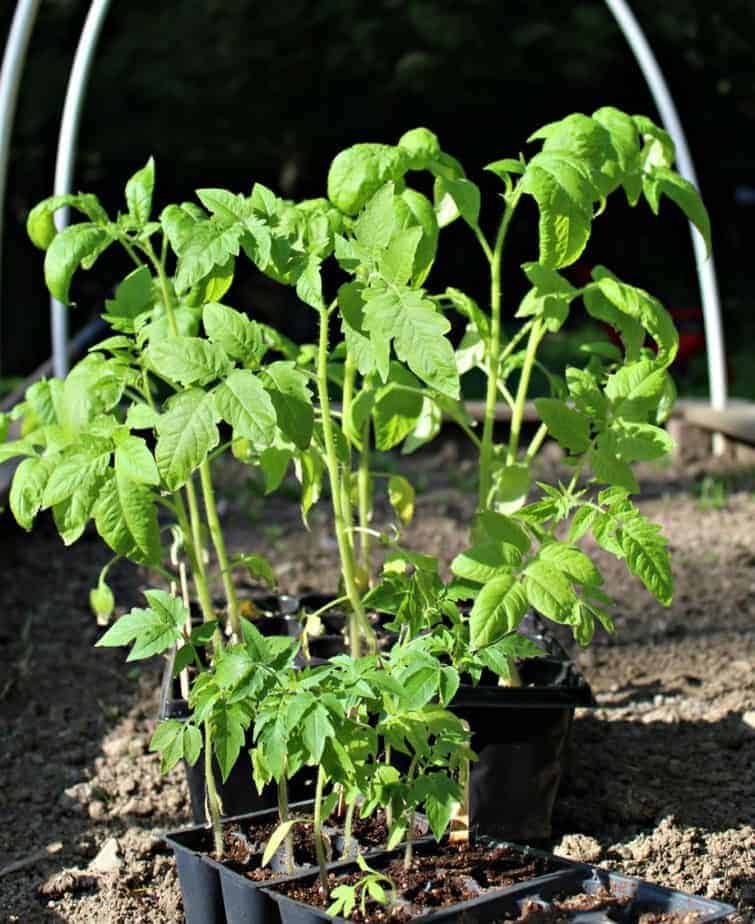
<point>237,794</point>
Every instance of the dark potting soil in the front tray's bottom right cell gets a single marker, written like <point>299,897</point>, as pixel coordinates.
<point>564,909</point>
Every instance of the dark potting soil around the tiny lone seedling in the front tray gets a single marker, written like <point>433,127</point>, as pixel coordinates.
<point>437,877</point>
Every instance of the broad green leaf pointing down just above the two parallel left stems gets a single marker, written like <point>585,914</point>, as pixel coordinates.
<point>187,432</point>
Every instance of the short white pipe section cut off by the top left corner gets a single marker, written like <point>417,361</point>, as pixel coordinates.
<point>10,80</point>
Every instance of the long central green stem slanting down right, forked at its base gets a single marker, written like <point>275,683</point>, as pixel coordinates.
<point>358,623</point>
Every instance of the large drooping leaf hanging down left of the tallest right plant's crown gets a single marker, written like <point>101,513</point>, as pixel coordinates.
<point>563,189</point>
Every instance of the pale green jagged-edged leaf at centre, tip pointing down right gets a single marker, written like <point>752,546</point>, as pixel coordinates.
<point>411,321</point>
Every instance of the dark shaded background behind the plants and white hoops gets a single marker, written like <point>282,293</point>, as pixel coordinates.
<point>226,92</point>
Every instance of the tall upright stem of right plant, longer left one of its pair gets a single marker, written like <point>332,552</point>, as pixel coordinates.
<point>493,357</point>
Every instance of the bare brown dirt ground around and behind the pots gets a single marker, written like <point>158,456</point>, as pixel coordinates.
<point>661,783</point>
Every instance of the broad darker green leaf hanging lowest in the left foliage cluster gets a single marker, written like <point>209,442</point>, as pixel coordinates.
<point>125,515</point>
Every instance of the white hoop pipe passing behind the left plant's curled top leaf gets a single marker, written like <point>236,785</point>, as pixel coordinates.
<point>69,128</point>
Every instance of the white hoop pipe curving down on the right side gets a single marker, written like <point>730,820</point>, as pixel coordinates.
<point>706,273</point>
